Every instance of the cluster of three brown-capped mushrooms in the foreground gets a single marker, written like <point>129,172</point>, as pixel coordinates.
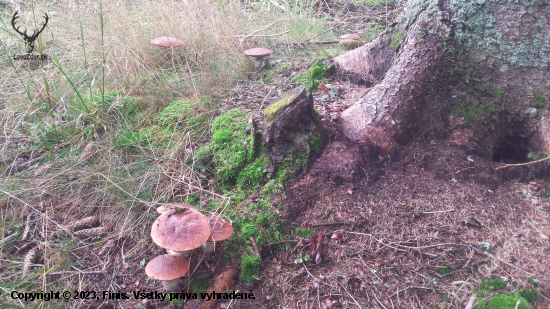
<point>180,229</point>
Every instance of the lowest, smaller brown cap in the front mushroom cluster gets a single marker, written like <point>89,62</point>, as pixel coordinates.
<point>167,267</point>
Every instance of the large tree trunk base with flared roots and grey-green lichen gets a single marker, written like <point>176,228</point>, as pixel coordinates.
<point>475,72</point>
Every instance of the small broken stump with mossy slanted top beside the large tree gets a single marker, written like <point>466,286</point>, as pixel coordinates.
<point>292,129</point>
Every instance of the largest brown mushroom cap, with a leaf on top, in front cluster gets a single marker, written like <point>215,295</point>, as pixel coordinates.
<point>183,231</point>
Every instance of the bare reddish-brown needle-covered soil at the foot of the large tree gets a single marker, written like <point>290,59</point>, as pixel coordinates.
<point>410,226</point>
